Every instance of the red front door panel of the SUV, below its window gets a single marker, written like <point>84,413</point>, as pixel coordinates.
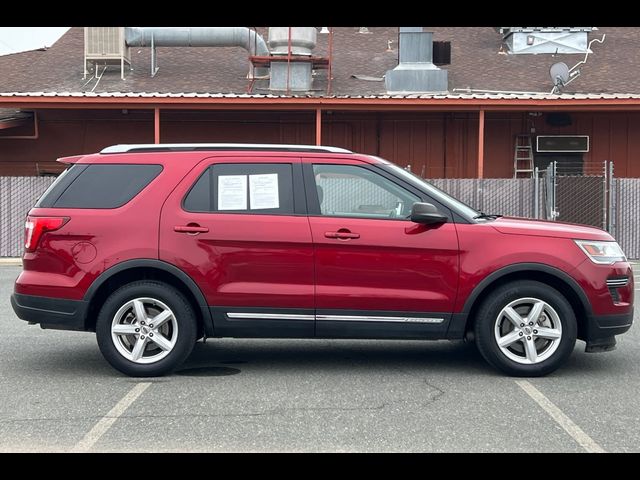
<point>392,266</point>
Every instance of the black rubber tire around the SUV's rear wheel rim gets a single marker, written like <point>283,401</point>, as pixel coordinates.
<point>184,316</point>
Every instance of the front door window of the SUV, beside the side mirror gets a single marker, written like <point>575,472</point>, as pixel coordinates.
<point>351,191</point>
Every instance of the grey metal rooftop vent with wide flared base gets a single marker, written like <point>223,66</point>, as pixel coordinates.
<point>415,71</point>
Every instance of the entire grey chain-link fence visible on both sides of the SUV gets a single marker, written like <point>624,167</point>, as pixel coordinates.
<point>598,200</point>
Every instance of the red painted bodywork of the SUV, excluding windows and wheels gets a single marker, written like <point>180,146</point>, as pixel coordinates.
<point>275,261</point>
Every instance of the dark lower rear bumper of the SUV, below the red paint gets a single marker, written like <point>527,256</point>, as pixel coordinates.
<point>54,313</point>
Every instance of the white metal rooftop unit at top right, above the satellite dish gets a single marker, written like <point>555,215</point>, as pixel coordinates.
<point>553,40</point>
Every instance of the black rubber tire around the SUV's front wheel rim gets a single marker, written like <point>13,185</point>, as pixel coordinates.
<point>487,316</point>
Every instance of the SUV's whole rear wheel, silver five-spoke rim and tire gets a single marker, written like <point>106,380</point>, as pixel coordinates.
<point>146,329</point>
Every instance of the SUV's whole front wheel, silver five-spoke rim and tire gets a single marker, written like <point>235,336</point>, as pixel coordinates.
<point>526,328</point>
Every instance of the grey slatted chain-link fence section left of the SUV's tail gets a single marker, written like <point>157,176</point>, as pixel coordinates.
<point>17,196</point>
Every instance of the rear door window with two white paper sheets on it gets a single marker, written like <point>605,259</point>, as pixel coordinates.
<point>253,188</point>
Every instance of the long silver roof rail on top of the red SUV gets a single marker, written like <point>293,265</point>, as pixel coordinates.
<point>189,147</point>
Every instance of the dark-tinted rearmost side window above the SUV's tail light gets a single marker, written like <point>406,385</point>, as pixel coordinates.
<point>98,185</point>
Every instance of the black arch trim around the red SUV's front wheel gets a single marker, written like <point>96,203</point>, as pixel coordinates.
<point>551,276</point>
